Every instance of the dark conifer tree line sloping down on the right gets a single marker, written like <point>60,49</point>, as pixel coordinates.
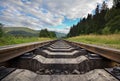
<point>104,21</point>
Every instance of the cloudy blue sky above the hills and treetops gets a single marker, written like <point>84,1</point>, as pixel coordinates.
<point>55,15</point>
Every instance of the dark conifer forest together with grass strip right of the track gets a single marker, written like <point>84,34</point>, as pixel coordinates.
<point>102,28</point>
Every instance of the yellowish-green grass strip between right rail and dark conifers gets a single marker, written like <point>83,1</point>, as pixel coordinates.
<point>112,41</point>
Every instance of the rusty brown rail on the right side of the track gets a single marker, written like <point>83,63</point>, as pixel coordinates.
<point>112,54</point>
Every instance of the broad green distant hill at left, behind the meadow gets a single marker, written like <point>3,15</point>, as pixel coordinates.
<point>20,31</point>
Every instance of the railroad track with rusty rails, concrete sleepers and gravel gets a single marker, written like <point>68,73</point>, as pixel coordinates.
<point>59,60</point>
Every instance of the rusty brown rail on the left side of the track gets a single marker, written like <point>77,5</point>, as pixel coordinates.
<point>7,53</point>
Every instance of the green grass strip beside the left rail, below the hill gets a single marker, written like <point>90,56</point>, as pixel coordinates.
<point>9,40</point>
